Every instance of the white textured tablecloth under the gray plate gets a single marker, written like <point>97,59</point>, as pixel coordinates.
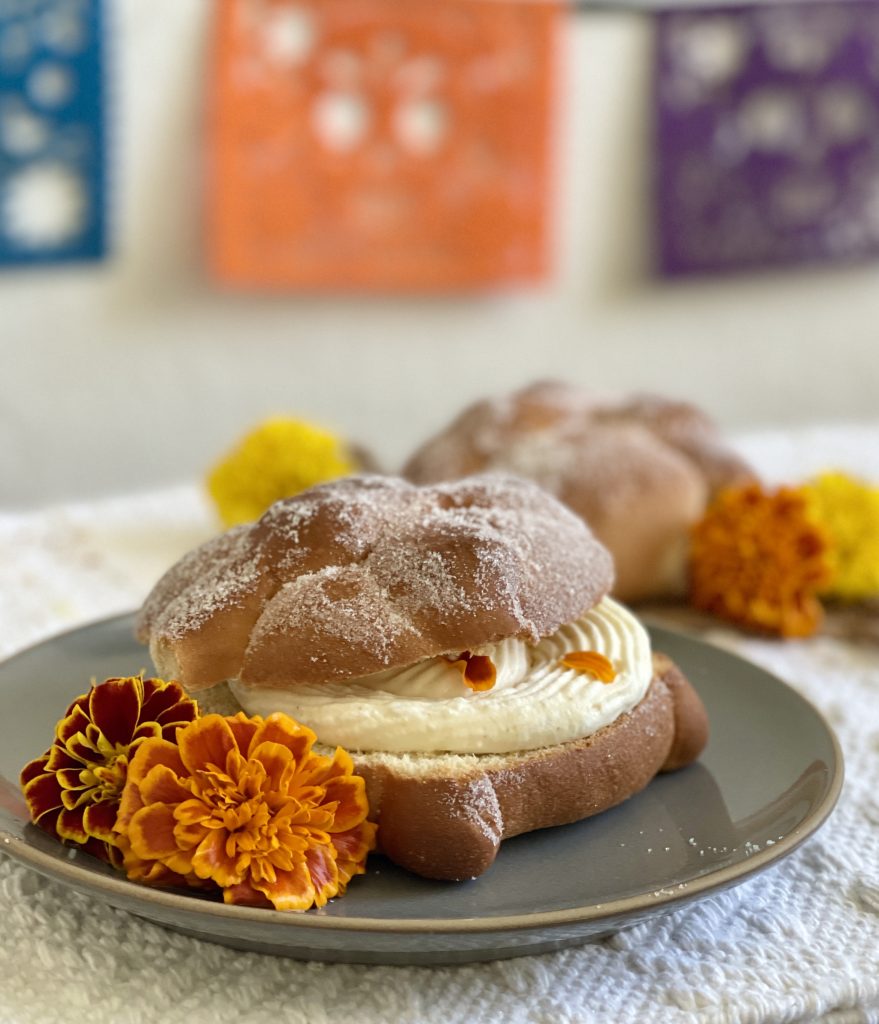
<point>800,943</point>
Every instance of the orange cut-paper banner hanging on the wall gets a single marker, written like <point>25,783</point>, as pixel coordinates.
<point>382,145</point>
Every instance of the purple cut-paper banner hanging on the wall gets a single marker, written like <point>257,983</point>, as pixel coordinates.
<point>768,122</point>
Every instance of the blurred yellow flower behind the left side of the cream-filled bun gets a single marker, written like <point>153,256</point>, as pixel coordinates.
<point>278,459</point>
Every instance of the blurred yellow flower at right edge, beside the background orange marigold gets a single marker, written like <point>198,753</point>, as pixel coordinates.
<point>849,510</point>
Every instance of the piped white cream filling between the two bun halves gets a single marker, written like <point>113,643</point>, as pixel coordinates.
<point>536,701</point>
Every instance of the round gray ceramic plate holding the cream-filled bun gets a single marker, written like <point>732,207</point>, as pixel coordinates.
<point>771,776</point>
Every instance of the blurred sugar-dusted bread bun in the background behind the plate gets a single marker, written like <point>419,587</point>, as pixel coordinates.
<point>641,471</point>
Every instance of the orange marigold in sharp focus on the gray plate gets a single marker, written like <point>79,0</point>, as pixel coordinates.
<point>245,803</point>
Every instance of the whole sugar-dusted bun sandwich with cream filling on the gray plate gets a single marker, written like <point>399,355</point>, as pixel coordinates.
<point>453,638</point>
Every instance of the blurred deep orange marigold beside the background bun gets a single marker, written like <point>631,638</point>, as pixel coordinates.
<point>759,559</point>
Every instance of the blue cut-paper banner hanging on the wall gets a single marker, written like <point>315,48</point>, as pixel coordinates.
<point>52,132</point>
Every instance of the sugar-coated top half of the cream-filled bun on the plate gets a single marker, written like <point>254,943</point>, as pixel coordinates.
<point>367,574</point>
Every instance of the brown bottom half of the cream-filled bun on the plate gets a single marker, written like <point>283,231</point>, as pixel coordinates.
<point>445,825</point>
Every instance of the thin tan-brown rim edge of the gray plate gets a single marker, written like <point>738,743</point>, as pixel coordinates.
<point>71,874</point>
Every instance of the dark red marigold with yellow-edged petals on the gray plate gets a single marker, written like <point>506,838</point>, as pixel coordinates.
<point>73,791</point>
